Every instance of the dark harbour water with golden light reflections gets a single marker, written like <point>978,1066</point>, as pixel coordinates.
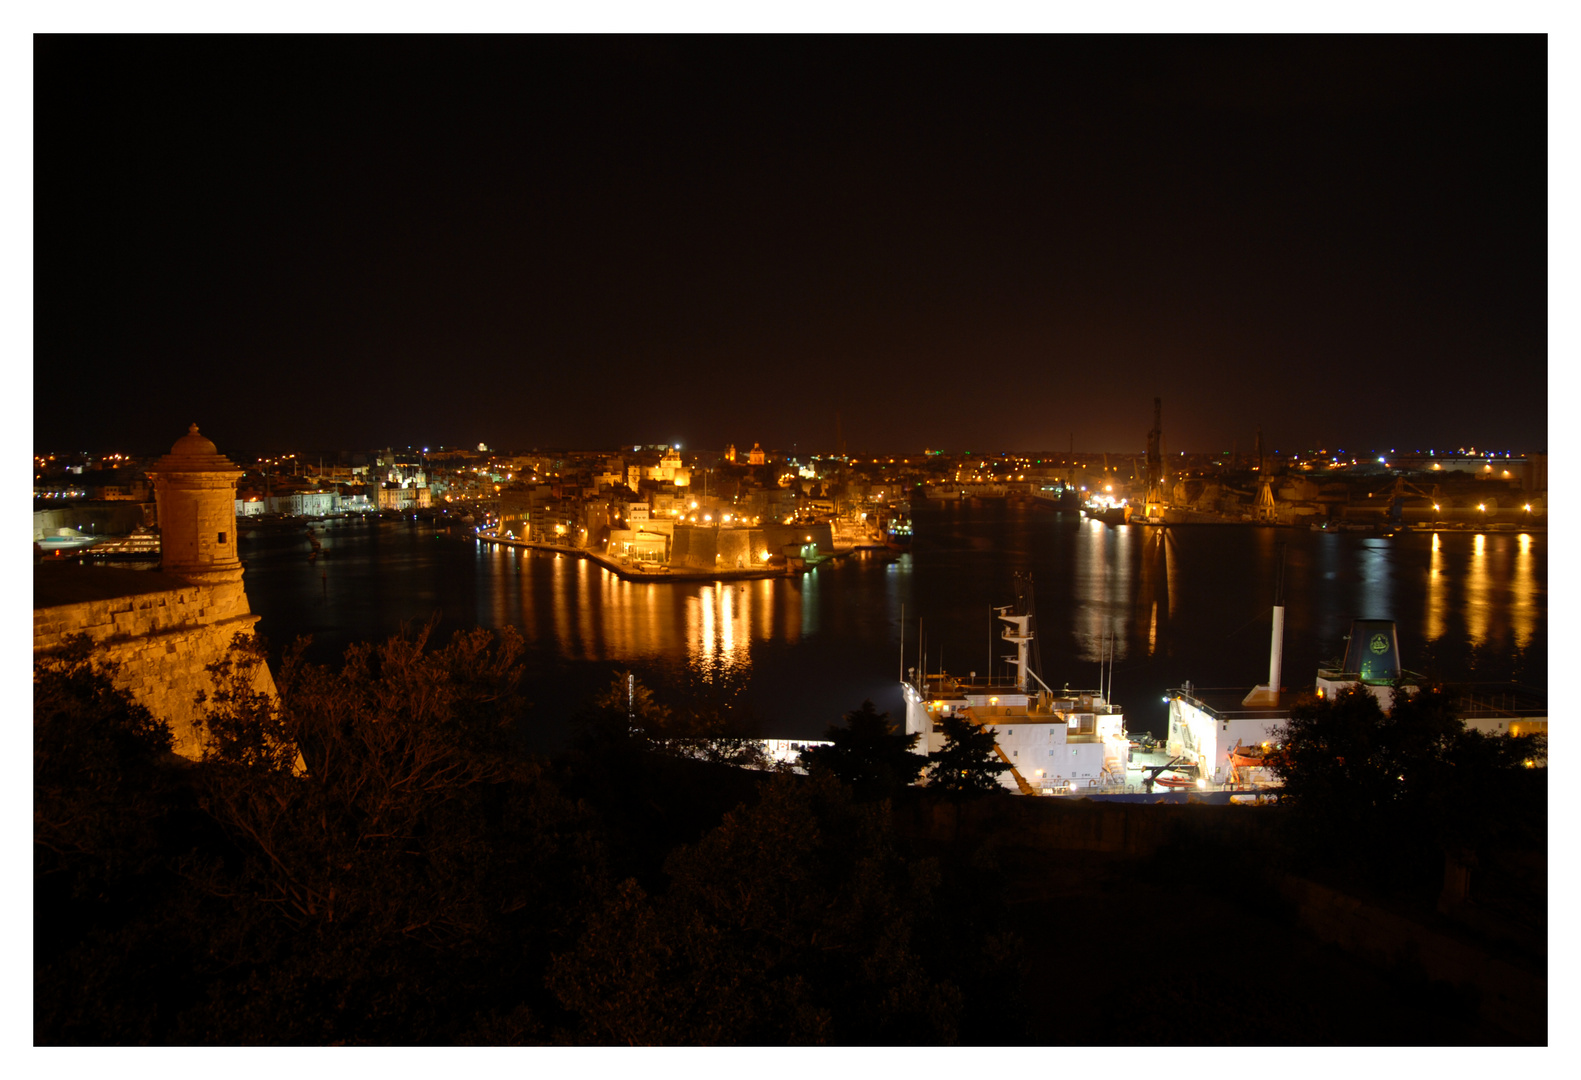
<point>1141,608</point>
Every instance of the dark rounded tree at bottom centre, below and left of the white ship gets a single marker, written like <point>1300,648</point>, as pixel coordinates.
<point>793,923</point>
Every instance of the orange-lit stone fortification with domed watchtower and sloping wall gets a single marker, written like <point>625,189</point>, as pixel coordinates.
<point>162,627</point>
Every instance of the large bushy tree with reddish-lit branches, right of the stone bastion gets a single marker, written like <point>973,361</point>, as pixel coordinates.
<point>404,874</point>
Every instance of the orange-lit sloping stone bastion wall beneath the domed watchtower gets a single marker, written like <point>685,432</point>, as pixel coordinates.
<point>162,638</point>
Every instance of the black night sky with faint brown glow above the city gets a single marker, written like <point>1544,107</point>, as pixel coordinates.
<point>964,243</point>
